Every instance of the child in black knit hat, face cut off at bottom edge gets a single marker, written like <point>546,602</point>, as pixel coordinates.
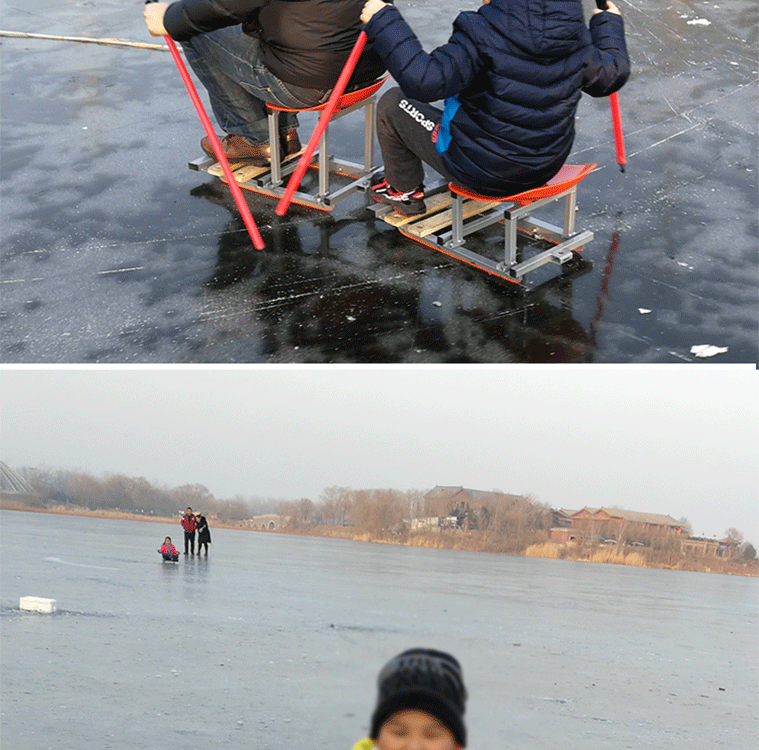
<point>420,703</point>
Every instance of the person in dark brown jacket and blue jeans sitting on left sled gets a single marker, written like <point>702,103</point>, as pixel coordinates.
<point>246,52</point>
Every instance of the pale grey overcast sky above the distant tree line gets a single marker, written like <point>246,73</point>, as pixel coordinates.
<point>679,441</point>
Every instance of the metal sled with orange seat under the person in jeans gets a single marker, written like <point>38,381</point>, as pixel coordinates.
<point>271,180</point>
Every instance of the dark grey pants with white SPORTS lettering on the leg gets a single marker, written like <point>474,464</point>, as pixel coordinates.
<point>405,128</point>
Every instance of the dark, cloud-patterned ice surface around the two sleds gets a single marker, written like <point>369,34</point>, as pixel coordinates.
<point>114,252</point>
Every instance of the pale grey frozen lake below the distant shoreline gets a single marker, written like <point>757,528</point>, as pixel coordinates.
<point>274,642</point>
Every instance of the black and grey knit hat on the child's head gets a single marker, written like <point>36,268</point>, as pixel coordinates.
<point>425,680</point>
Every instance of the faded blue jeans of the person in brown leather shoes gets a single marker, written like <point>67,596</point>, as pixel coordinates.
<point>227,63</point>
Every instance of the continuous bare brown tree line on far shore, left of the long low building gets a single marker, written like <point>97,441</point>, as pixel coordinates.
<point>378,512</point>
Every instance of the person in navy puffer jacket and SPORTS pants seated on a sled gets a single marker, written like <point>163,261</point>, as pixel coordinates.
<point>512,75</point>
